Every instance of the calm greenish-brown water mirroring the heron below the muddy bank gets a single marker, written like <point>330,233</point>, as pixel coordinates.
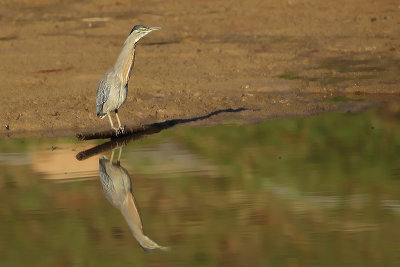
<point>317,191</point>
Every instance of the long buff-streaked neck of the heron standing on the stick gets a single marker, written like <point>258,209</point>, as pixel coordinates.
<point>124,64</point>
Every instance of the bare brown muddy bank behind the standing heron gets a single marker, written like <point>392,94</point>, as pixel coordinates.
<point>273,58</point>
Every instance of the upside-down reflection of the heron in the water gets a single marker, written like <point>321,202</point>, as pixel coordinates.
<point>117,188</point>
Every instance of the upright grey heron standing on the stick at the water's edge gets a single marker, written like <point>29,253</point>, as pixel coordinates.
<point>113,86</point>
